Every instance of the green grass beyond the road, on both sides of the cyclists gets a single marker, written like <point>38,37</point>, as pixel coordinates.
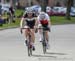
<point>55,20</point>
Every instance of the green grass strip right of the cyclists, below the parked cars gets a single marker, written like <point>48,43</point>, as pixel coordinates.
<point>56,20</point>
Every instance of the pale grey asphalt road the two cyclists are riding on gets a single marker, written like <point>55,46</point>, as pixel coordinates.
<point>62,45</point>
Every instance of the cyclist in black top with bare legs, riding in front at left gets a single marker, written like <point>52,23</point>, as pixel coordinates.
<point>29,21</point>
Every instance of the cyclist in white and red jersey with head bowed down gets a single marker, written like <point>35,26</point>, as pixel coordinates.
<point>44,21</point>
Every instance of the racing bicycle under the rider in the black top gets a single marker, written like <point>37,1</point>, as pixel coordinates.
<point>29,46</point>
